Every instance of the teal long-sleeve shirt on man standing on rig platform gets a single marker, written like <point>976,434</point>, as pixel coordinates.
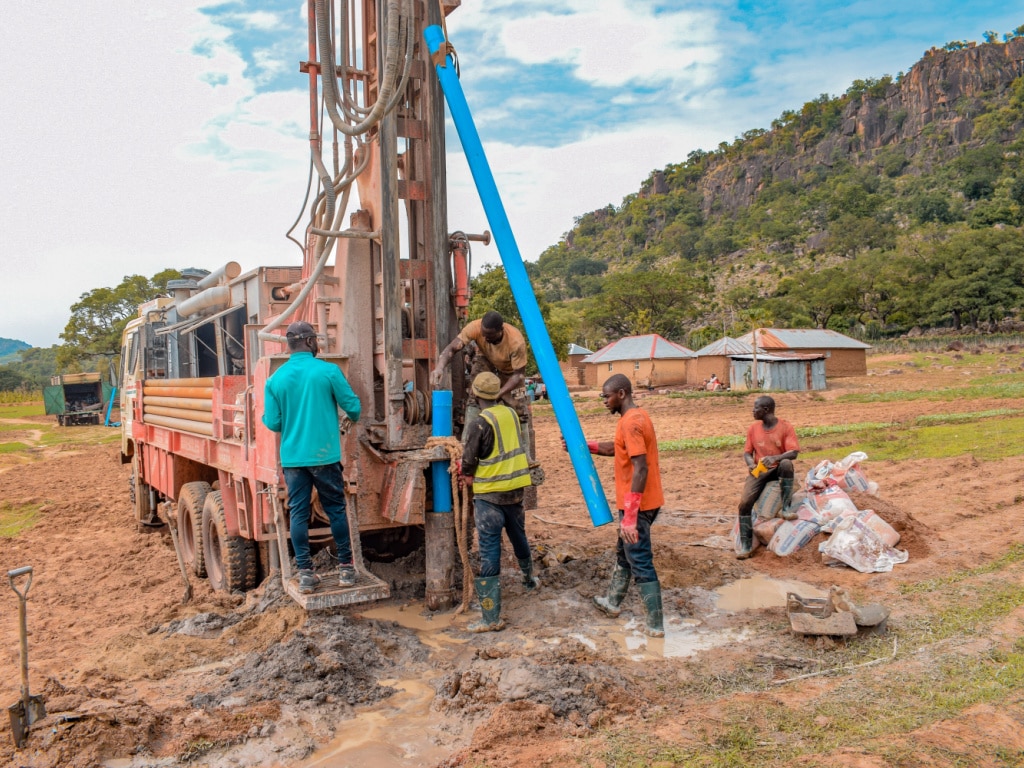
<point>302,402</point>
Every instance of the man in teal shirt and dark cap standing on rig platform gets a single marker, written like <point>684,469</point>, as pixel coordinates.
<point>302,402</point>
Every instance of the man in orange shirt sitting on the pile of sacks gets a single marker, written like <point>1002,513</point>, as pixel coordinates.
<point>771,450</point>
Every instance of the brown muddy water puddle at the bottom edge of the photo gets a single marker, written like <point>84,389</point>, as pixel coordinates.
<point>396,734</point>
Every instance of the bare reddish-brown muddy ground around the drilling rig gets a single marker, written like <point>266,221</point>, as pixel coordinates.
<point>132,677</point>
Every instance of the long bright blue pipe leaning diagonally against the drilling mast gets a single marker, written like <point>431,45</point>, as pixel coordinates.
<point>569,422</point>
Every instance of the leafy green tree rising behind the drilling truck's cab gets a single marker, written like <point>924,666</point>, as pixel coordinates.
<point>100,316</point>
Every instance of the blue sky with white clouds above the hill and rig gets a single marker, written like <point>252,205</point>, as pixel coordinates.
<point>174,134</point>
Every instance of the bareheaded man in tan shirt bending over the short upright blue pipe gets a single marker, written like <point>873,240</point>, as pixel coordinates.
<point>501,351</point>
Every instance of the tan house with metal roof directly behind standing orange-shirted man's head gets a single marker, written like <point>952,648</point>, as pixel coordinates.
<point>649,361</point>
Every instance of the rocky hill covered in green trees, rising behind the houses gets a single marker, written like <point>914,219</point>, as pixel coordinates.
<point>854,212</point>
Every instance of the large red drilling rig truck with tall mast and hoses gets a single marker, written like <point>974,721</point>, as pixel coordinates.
<point>195,363</point>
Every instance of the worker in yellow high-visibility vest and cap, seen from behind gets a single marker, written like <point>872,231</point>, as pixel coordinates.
<point>495,462</point>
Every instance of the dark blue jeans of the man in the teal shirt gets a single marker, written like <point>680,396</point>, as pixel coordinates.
<point>331,488</point>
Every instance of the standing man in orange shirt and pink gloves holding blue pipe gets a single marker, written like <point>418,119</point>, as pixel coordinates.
<point>639,498</point>
